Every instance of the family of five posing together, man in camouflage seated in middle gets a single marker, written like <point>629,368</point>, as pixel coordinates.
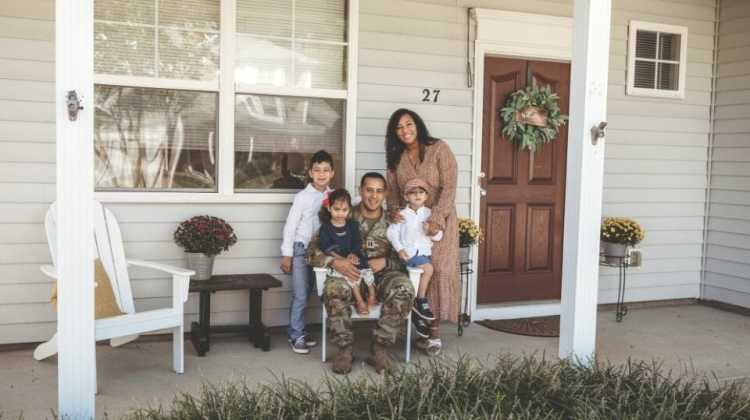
<point>404,219</point>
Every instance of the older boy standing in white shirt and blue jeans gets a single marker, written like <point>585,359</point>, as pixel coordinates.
<point>301,224</point>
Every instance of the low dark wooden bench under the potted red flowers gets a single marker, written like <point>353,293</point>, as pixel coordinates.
<point>255,283</point>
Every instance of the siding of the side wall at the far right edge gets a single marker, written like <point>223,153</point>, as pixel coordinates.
<point>727,270</point>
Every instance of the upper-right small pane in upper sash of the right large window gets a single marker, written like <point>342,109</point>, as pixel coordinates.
<point>321,20</point>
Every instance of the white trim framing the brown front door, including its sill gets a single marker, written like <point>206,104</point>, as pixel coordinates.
<point>542,37</point>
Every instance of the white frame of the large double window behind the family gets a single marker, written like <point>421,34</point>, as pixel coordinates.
<point>226,88</point>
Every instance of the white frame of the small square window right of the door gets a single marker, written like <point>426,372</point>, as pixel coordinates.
<point>682,31</point>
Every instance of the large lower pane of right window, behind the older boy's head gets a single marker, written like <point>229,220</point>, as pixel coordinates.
<point>275,137</point>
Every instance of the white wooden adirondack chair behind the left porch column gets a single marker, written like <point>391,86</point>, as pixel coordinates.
<point>123,328</point>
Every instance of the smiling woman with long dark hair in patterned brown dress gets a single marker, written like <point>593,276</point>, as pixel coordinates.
<point>411,153</point>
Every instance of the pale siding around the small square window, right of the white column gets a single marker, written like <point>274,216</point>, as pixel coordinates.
<point>656,154</point>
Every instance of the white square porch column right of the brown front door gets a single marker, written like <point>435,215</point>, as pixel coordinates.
<point>585,171</point>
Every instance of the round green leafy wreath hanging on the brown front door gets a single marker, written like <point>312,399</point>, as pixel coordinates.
<point>528,136</point>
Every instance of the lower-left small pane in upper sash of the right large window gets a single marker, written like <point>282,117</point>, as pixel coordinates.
<point>263,61</point>
